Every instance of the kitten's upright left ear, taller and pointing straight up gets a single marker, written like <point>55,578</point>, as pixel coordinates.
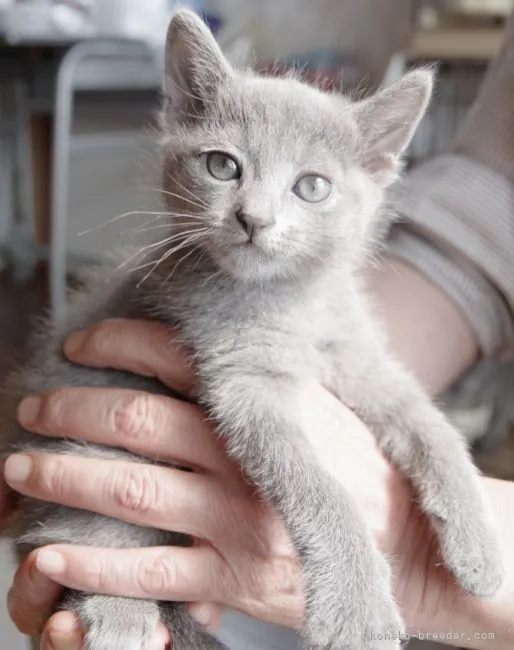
<point>195,65</point>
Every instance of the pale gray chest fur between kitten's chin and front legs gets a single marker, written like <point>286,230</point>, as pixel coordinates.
<point>288,328</point>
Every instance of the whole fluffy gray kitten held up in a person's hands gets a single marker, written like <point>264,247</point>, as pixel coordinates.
<point>276,187</point>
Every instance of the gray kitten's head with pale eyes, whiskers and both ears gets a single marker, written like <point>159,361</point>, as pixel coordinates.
<point>270,176</point>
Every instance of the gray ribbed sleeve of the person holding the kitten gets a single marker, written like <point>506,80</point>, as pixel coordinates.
<point>457,211</point>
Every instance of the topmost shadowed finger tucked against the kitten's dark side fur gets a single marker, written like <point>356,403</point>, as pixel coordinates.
<point>142,347</point>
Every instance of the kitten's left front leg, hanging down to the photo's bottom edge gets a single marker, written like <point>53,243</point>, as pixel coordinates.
<point>347,581</point>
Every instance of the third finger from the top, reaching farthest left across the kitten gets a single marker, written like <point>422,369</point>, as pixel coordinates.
<point>148,495</point>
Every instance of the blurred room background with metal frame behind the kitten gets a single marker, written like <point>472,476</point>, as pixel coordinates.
<point>79,85</point>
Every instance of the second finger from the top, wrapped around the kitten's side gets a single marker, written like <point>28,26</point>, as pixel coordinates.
<point>152,425</point>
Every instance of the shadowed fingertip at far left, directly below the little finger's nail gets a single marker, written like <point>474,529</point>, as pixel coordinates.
<point>31,598</point>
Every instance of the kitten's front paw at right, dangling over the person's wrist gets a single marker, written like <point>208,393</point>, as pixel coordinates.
<point>471,550</point>
